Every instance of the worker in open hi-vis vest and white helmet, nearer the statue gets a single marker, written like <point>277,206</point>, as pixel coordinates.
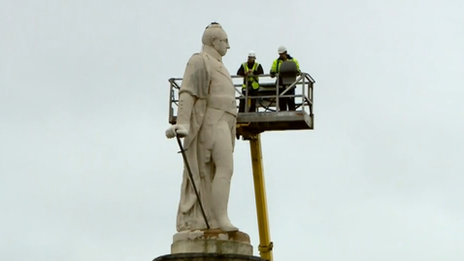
<point>250,71</point>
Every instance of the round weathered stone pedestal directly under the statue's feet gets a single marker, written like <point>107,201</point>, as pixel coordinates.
<point>212,241</point>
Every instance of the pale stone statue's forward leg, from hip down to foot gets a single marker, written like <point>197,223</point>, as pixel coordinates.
<point>222,155</point>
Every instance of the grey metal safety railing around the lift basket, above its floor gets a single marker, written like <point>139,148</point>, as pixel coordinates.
<point>268,97</point>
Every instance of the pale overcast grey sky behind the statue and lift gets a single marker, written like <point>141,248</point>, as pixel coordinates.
<point>86,172</point>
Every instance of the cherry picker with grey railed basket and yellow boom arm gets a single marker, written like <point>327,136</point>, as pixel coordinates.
<point>267,117</point>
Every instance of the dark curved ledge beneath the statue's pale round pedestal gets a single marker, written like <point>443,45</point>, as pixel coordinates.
<point>207,257</point>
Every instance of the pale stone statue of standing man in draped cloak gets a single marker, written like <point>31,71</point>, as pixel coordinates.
<point>206,120</point>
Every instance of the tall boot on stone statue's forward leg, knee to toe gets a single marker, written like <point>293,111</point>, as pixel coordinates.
<point>220,199</point>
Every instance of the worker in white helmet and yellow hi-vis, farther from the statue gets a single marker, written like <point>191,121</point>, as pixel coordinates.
<point>284,56</point>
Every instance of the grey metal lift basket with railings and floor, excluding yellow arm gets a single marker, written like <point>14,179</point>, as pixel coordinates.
<point>268,116</point>
